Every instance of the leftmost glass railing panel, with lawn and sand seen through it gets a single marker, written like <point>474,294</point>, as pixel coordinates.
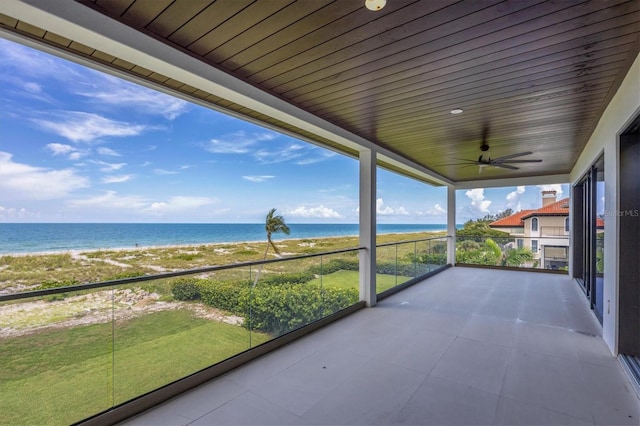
<point>57,357</point>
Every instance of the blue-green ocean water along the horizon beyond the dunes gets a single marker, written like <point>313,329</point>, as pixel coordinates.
<point>55,237</point>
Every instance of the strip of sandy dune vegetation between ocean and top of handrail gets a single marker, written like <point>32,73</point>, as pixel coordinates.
<point>29,272</point>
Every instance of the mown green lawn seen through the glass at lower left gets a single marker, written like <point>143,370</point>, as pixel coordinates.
<point>62,376</point>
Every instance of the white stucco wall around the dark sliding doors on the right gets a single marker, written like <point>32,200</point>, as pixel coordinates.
<point>624,106</point>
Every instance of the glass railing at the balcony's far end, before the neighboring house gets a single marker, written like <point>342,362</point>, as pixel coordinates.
<point>549,253</point>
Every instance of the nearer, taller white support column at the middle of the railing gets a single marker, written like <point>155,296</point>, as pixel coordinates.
<point>368,227</point>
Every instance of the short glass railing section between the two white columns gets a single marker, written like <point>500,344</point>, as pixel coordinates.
<point>397,263</point>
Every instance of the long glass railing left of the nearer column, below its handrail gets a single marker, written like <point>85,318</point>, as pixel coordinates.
<point>71,352</point>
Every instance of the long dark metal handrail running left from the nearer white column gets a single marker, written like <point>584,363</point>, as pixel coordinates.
<point>142,278</point>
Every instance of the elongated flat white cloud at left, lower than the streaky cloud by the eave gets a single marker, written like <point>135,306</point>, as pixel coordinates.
<point>87,127</point>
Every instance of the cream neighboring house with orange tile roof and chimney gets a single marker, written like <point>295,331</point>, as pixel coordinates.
<point>545,231</point>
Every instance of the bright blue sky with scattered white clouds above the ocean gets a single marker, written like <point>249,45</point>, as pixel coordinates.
<point>78,145</point>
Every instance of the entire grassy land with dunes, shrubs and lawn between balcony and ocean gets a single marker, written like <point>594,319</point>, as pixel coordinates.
<point>73,354</point>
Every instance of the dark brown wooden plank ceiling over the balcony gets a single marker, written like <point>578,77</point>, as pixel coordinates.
<point>531,75</point>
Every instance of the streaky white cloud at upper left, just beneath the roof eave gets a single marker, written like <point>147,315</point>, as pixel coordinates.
<point>113,91</point>
